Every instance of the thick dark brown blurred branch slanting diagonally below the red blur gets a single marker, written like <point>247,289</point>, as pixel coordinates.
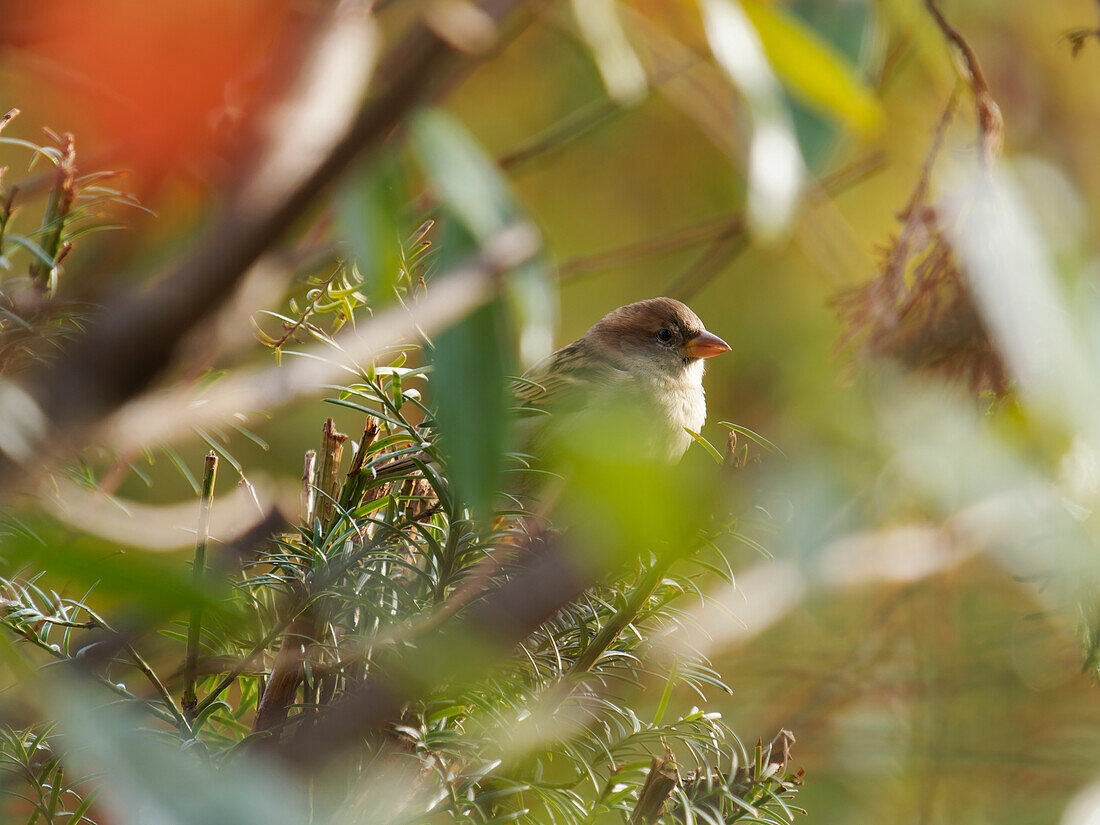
<point>136,337</point>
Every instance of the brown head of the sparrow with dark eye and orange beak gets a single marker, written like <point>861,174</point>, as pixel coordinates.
<point>659,334</point>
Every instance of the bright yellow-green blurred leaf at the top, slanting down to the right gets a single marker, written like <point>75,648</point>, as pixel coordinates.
<point>813,70</point>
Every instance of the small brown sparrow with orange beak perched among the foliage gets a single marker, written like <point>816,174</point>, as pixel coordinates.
<point>642,362</point>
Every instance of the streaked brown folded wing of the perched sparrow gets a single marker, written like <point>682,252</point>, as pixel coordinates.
<point>564,382</point>
